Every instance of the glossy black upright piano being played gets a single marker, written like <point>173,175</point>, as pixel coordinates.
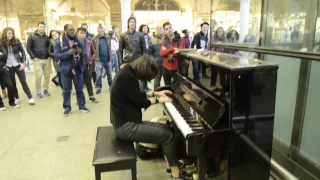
<point>217,124</point>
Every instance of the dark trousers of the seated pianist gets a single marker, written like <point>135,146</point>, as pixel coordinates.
<point>150,132</point>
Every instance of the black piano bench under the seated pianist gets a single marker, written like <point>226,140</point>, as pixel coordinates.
<point>112,154</point>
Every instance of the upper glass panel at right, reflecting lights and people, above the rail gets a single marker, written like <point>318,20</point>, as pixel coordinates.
<point>286,24</point>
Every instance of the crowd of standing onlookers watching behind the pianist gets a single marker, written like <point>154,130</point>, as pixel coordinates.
<point>83,59</point>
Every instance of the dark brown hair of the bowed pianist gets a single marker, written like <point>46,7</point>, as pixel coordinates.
<point>145,67</point>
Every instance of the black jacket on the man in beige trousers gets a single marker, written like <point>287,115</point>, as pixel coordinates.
<point>38,46</point>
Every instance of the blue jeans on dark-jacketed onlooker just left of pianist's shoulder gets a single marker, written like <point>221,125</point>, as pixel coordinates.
<point>99,68</point>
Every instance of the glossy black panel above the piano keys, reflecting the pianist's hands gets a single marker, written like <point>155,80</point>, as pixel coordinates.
<point>190,95</point>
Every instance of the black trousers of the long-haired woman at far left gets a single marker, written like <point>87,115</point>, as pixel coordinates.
<point>22,78</point>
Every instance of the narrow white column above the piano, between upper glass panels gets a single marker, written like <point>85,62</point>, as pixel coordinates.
<point>244,18</point>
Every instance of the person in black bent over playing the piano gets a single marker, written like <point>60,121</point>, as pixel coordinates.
<point>126,102</point>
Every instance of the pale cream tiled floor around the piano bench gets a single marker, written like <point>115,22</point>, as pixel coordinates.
<point>29,149</point>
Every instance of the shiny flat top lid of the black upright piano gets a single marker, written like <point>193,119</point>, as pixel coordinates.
<point>226,61</point>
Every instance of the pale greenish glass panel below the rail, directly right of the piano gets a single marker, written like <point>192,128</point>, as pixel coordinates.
<point>288,76</point>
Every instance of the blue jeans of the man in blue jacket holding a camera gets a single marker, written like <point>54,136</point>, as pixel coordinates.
<point>67,86</point>
